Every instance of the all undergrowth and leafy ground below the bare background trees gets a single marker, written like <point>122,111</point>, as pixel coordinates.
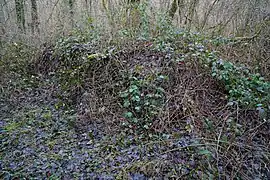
<point>153,101</point>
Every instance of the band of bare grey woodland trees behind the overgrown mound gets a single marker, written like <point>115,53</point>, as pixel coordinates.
<point>235,17</point>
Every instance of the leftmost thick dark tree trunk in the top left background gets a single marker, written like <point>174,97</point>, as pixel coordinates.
<point>19,7</point>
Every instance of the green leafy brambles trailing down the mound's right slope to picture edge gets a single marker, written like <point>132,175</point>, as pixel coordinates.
<point>244,88</point>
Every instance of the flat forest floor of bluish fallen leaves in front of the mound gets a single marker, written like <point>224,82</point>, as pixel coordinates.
<point>39,140</point>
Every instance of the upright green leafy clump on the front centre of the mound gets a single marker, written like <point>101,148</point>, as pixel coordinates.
<point>142,100</point>
